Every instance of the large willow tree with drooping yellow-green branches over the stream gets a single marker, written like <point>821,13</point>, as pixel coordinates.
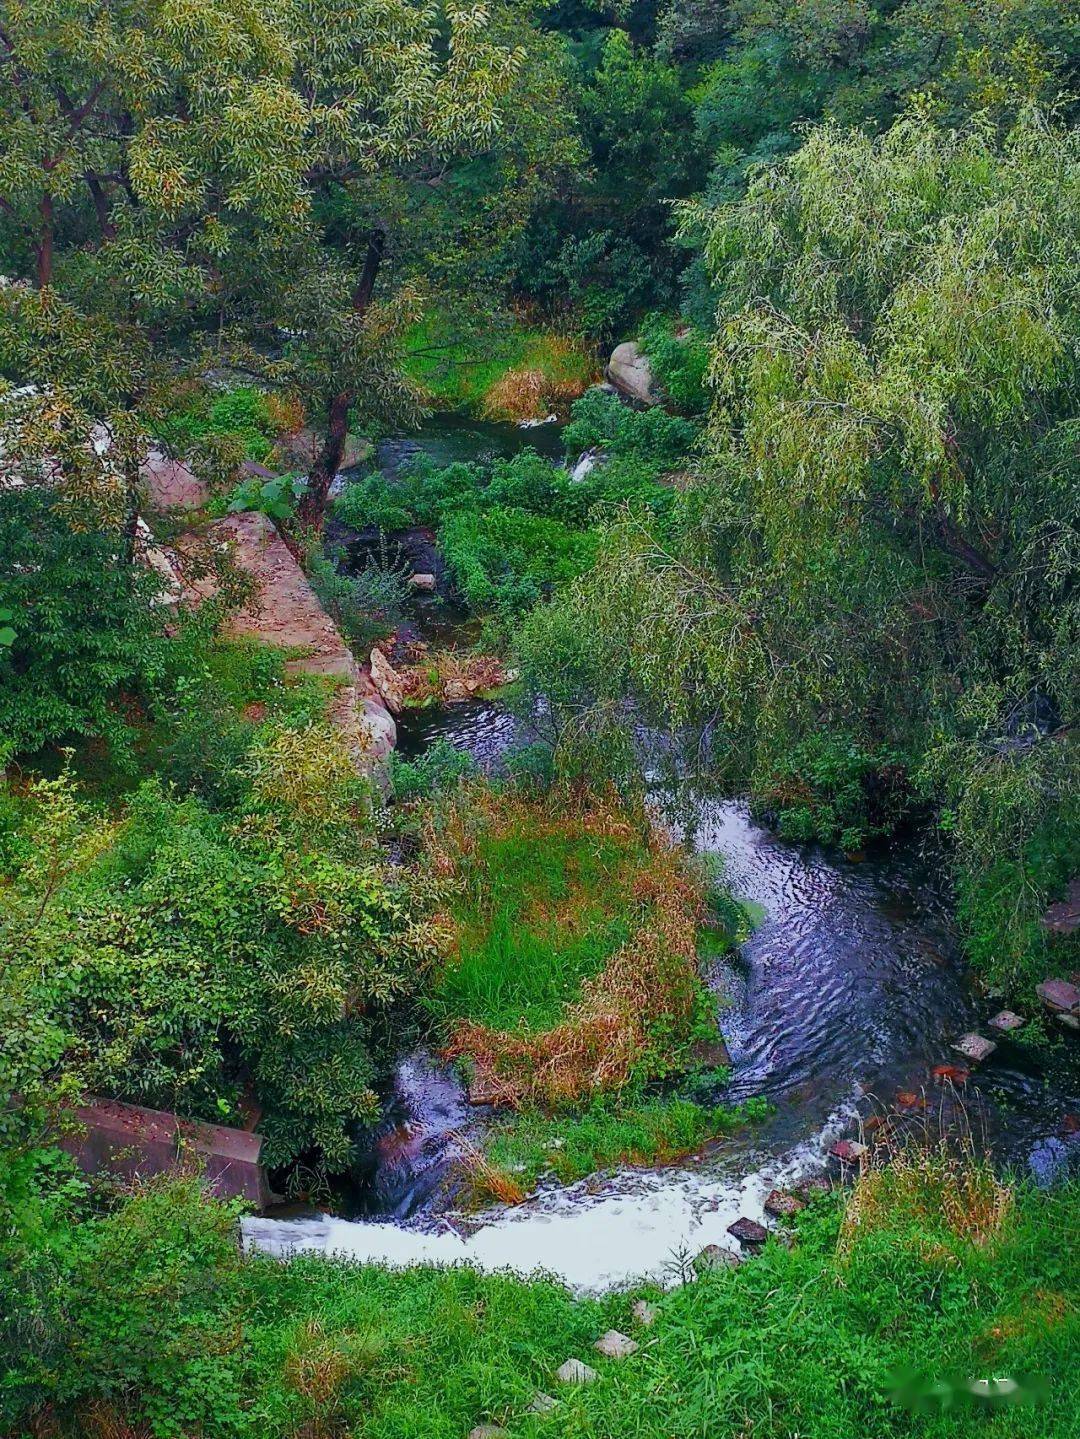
<point>877,578</point>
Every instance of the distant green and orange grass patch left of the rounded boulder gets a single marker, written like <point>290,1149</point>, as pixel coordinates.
<point>458,365</point>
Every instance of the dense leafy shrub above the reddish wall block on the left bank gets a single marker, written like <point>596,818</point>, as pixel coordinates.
<point>172,956</point>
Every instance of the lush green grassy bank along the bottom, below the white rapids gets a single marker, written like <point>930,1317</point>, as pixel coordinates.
<point>153,1316</point>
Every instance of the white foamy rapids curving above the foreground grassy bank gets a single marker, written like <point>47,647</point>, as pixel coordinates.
<point>644,1225</point>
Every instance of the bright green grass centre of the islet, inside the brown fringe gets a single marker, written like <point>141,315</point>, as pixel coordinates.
<point>541,914</point>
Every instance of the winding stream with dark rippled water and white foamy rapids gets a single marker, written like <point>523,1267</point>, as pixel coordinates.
<point>851,989</point>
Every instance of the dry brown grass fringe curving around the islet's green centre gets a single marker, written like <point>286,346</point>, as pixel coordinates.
<point>654,976</point>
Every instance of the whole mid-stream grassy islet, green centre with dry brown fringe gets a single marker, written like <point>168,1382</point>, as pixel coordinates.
<point>575,959</point>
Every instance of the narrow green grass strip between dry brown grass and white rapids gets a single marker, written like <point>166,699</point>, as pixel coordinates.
<point>610,1135</point>
